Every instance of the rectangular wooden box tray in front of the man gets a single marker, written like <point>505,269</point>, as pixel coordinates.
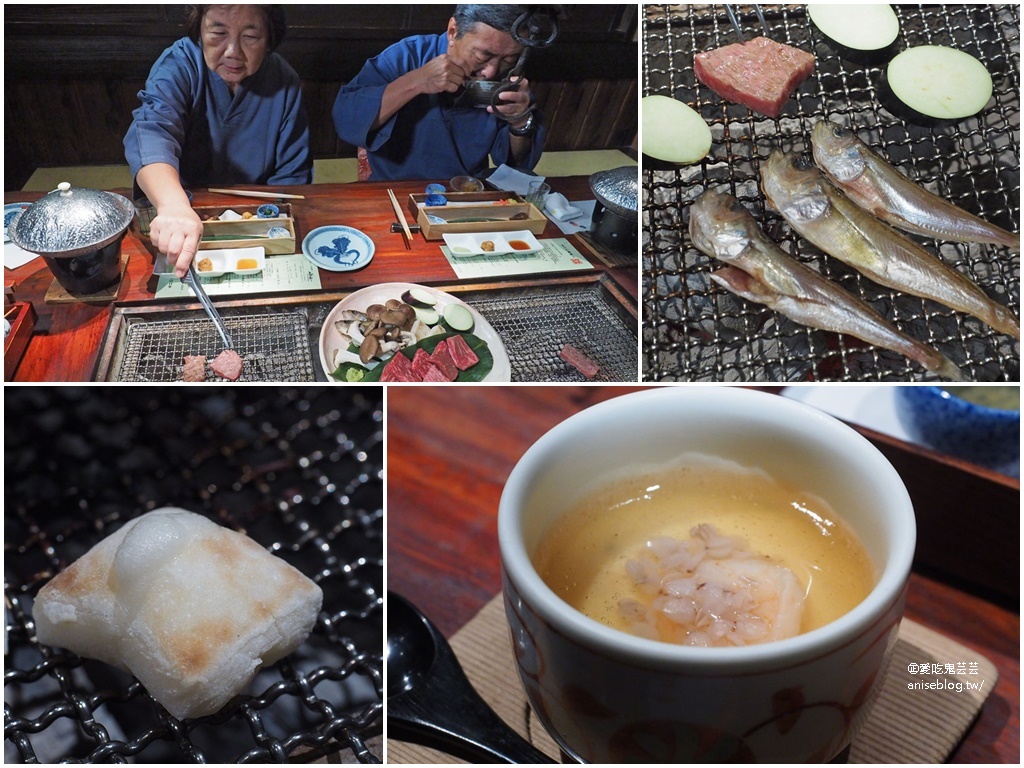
<point>489,207</point>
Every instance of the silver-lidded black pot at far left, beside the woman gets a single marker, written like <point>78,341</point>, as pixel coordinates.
<point>78,233</point>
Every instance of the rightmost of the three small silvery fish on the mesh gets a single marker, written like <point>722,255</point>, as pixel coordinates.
<point>877,187</point>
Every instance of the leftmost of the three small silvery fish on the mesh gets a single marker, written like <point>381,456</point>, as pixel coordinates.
<point>763,273</point>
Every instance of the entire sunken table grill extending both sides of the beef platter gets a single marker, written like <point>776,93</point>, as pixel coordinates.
<point>147,343</point>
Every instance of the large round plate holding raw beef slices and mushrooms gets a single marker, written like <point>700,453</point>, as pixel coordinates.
<point>331,340</point>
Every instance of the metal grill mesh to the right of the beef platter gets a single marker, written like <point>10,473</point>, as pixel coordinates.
<point>537,324</point>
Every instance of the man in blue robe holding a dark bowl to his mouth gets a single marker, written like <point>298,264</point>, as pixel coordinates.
<point>404,106</point>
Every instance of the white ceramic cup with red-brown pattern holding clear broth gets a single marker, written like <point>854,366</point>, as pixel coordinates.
<point>608,697</point>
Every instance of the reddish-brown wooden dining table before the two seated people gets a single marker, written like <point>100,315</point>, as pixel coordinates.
<point>67,337</point>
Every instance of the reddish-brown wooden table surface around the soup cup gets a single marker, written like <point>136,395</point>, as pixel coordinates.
<point>451,452</point>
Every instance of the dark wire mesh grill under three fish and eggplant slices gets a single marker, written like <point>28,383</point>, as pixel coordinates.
<point>696,331</point>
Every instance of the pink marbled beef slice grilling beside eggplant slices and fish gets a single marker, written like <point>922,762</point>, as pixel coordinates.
<point>760,74</point>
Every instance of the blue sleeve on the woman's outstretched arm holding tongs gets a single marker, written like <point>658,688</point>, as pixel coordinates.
<point>158,130</point>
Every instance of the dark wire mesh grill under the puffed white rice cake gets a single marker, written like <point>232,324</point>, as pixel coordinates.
<point>301,471</point>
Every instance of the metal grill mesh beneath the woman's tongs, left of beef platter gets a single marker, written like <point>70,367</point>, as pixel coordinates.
<point>274,348</point>
